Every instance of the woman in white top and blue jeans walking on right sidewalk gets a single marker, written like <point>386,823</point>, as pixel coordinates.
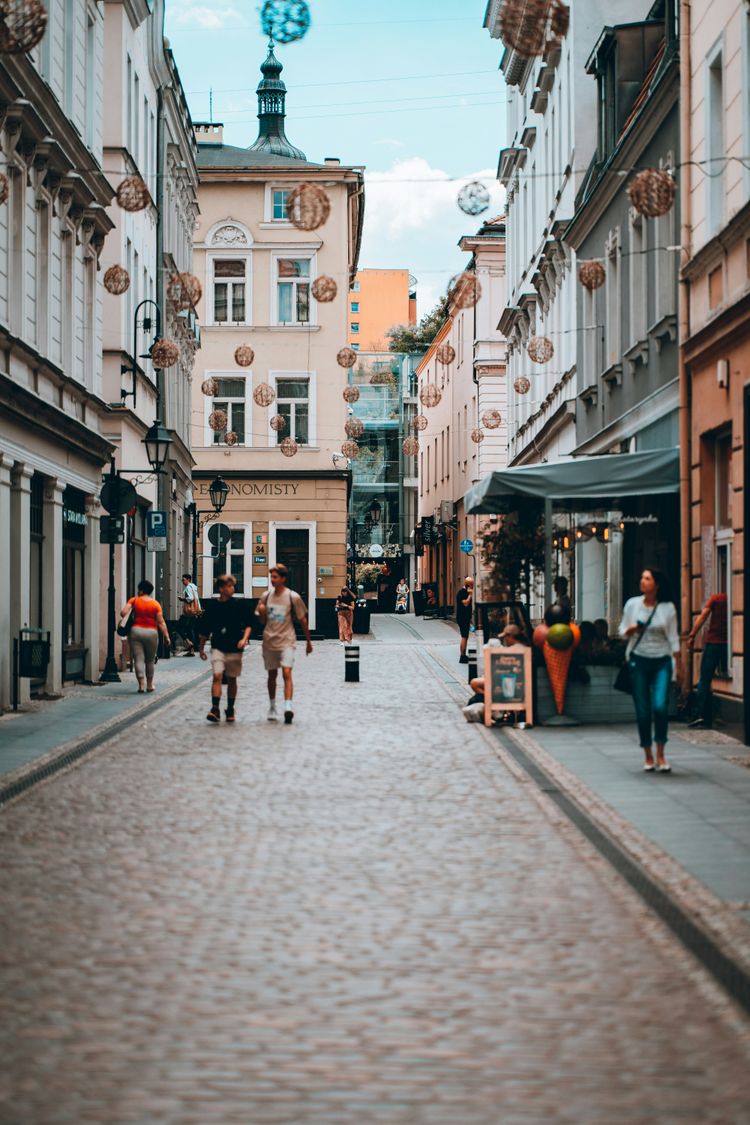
<point>649,625</point>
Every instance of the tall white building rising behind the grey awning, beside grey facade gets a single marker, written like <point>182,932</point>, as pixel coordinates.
<point>552,137</point>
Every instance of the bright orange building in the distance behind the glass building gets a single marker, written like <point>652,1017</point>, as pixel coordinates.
<point>378,301</point>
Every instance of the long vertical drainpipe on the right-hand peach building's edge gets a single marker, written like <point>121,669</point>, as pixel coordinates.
<point>684,331</point>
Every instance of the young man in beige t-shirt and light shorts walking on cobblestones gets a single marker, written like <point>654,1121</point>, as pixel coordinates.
<point>279,609</point>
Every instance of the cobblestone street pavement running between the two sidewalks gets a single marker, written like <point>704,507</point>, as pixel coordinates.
<point>363,919</point>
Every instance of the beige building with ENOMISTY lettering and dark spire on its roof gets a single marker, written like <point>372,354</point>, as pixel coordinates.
<point>258,272</point>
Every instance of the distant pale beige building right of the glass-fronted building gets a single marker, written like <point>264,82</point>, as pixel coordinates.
<point>472,385</point>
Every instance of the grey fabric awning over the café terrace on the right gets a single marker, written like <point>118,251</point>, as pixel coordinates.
<point>581,484</point>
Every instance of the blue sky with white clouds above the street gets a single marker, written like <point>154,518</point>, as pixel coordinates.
<point>411,91</point>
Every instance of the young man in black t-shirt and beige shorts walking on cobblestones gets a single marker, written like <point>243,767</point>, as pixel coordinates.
<point>227,622</point>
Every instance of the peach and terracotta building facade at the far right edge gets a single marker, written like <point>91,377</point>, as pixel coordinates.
<point>716,332</point>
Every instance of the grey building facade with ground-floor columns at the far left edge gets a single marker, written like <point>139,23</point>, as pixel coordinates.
<point>53,443</point>
